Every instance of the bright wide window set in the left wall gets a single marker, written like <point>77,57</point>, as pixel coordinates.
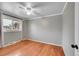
<point>11,25</point>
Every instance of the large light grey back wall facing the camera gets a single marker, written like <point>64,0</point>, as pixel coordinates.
<point>47,29</point>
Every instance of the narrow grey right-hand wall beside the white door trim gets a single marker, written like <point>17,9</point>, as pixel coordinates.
<point>69,29</point>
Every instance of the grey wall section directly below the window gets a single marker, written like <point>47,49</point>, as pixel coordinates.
<point>10,37</point>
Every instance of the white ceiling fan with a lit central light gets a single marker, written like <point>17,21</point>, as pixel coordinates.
<point>29,9</point>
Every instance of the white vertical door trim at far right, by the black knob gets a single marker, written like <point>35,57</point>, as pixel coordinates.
<point>77,27</point>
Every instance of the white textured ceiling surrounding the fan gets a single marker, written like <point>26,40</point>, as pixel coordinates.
<point>42,8</point>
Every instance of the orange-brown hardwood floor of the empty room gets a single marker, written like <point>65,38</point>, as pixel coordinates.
<point>31,48</point>
